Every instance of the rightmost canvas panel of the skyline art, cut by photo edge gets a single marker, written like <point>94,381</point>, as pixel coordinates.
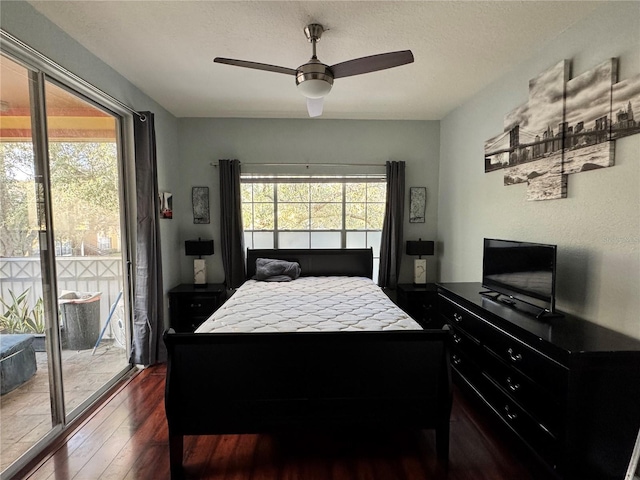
<point>625,118</point>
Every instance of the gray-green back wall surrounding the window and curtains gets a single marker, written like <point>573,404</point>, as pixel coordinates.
<point>203,141</point>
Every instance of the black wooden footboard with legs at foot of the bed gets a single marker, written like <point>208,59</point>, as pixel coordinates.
<point>267,382</point>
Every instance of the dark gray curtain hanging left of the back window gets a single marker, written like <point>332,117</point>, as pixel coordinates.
<point>232,236</point>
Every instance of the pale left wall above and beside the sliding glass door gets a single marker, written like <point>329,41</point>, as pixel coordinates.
<point>32,28</point>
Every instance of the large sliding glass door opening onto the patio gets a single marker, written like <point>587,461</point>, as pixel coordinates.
<point>64,322</point>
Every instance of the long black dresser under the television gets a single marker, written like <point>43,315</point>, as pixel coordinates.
<point>568,388</point>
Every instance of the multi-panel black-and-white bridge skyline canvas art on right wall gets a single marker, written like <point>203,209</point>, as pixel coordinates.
<point>567,126</point>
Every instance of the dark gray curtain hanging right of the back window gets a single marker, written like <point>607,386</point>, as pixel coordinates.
<point>391,243</point>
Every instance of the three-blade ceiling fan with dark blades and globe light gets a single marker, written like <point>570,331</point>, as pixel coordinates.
<point>315,79</point>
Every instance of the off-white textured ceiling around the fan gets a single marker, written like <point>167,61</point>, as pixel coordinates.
<point>166,49</point>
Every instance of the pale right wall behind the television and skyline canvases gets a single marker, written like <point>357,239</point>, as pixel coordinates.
<point>596,228</point>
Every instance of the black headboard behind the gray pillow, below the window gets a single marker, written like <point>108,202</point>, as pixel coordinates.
<point>352,262</point>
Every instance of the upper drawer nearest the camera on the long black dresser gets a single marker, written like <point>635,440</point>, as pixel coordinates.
<point>539,368</point>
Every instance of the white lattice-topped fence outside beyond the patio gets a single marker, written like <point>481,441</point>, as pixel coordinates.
<point>80,274</point>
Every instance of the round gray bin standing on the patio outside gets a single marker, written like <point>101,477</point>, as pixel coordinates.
<point>80,319</point>
